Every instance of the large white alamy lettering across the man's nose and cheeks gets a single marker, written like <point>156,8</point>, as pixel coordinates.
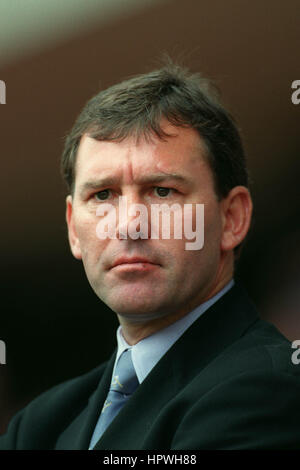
<point>133,222</point>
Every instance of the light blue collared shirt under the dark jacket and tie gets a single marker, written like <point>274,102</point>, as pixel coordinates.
<point>147,352</point>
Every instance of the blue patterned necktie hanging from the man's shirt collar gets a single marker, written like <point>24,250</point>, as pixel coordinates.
<point>123,384</point>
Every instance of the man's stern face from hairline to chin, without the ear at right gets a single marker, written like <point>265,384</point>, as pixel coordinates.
<point>174,279</point>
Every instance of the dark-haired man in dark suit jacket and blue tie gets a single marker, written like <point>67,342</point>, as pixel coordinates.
<point>206,372</point>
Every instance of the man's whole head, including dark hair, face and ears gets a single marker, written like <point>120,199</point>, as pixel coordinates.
<point>130,140</point>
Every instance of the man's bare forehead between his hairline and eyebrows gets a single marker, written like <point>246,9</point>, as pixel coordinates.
<point>183,152</point>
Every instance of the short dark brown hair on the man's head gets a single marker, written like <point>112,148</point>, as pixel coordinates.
<point>136,107</point>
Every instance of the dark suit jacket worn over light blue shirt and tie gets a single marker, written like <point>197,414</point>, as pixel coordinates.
<point>227,383</point>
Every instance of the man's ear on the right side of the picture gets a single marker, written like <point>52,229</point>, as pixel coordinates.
<point>237,212</point>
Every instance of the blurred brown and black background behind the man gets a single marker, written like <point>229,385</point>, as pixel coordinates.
<point>54,55</point>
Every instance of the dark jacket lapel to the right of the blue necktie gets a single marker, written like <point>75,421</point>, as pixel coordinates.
<point>216,329</point>
